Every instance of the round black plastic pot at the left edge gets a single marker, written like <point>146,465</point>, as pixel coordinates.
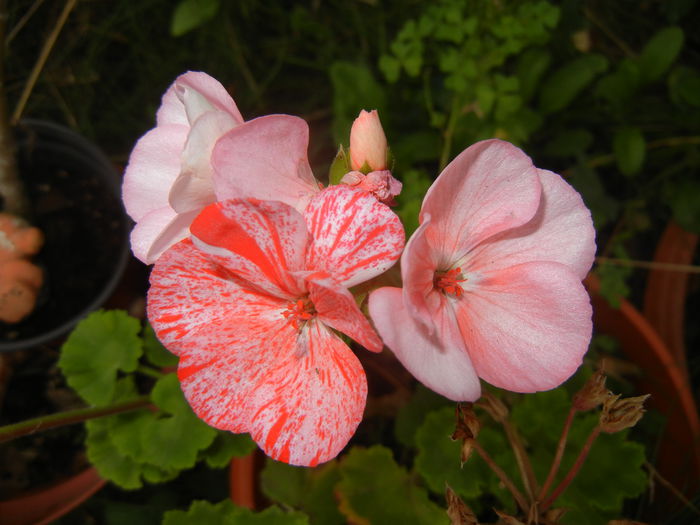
<point>75,194</point>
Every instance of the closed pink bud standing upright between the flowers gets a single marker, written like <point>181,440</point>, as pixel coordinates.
<point>368,142</point>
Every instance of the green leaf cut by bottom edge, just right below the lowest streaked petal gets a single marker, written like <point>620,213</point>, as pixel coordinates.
<point>373,488</point>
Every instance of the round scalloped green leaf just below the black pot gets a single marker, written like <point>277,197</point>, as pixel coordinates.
<point>103,344</point>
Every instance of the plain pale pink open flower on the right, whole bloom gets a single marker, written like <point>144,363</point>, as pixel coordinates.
<point>492,278</point>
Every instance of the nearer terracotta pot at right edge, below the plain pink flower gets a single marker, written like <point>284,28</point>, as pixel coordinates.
<point>678,455</point>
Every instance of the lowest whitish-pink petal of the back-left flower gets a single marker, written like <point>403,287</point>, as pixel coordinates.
<point>158,231</point>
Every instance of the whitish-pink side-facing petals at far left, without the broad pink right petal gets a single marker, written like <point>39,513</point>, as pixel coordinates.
<point>168,178</point>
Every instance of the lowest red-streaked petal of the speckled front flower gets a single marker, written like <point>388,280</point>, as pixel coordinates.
<point>308,406</point>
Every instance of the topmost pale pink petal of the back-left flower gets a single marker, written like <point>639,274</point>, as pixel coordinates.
<point>192,94</point>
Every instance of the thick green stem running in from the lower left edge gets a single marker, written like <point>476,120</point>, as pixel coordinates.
<point>31,426</point>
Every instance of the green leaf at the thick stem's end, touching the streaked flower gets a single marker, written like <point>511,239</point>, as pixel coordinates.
<point>174,439</point>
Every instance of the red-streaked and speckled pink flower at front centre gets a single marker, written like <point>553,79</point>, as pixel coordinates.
<point>250,303</point>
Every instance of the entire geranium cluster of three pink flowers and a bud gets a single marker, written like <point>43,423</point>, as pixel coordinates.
<point>254,261</point>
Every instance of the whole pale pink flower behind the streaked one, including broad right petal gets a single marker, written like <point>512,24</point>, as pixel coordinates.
<point>171,173</point>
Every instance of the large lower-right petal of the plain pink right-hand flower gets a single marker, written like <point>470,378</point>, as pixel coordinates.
<point>526,327</point>
